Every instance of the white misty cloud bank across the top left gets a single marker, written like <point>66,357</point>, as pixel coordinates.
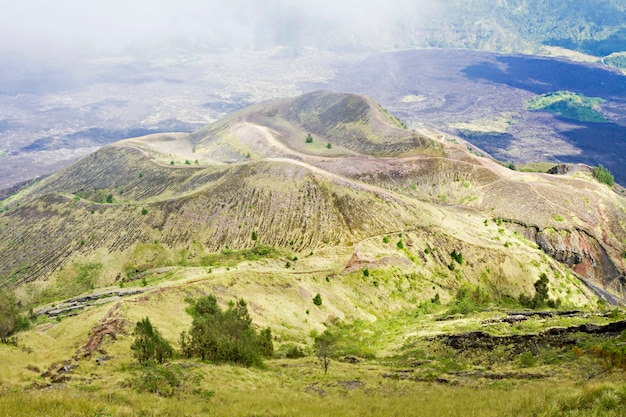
<point>47,25</point>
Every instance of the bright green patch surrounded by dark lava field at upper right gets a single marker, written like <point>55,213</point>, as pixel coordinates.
<point>569,105</point>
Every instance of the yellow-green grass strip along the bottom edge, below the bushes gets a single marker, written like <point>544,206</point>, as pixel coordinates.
<point>299,388</point>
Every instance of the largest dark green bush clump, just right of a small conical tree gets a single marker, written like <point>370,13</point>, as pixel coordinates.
<point>224,336</point>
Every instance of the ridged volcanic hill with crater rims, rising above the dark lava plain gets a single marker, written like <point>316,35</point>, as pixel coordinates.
<point>364,193</point>
